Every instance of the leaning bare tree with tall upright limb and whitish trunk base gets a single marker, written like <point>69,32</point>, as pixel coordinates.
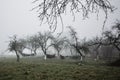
<point>76,45</point>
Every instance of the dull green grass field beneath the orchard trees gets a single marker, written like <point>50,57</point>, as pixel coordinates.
<point>53,69</point>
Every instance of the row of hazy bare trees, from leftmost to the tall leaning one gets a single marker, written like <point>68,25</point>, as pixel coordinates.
<point>44,41</point>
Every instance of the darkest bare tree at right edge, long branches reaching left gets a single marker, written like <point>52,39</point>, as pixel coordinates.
<point>110,38</point>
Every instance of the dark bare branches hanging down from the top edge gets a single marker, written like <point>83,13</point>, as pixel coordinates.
<point>51,11</point>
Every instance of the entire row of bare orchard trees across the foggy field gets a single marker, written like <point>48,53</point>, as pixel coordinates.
<point>46,40</point>
